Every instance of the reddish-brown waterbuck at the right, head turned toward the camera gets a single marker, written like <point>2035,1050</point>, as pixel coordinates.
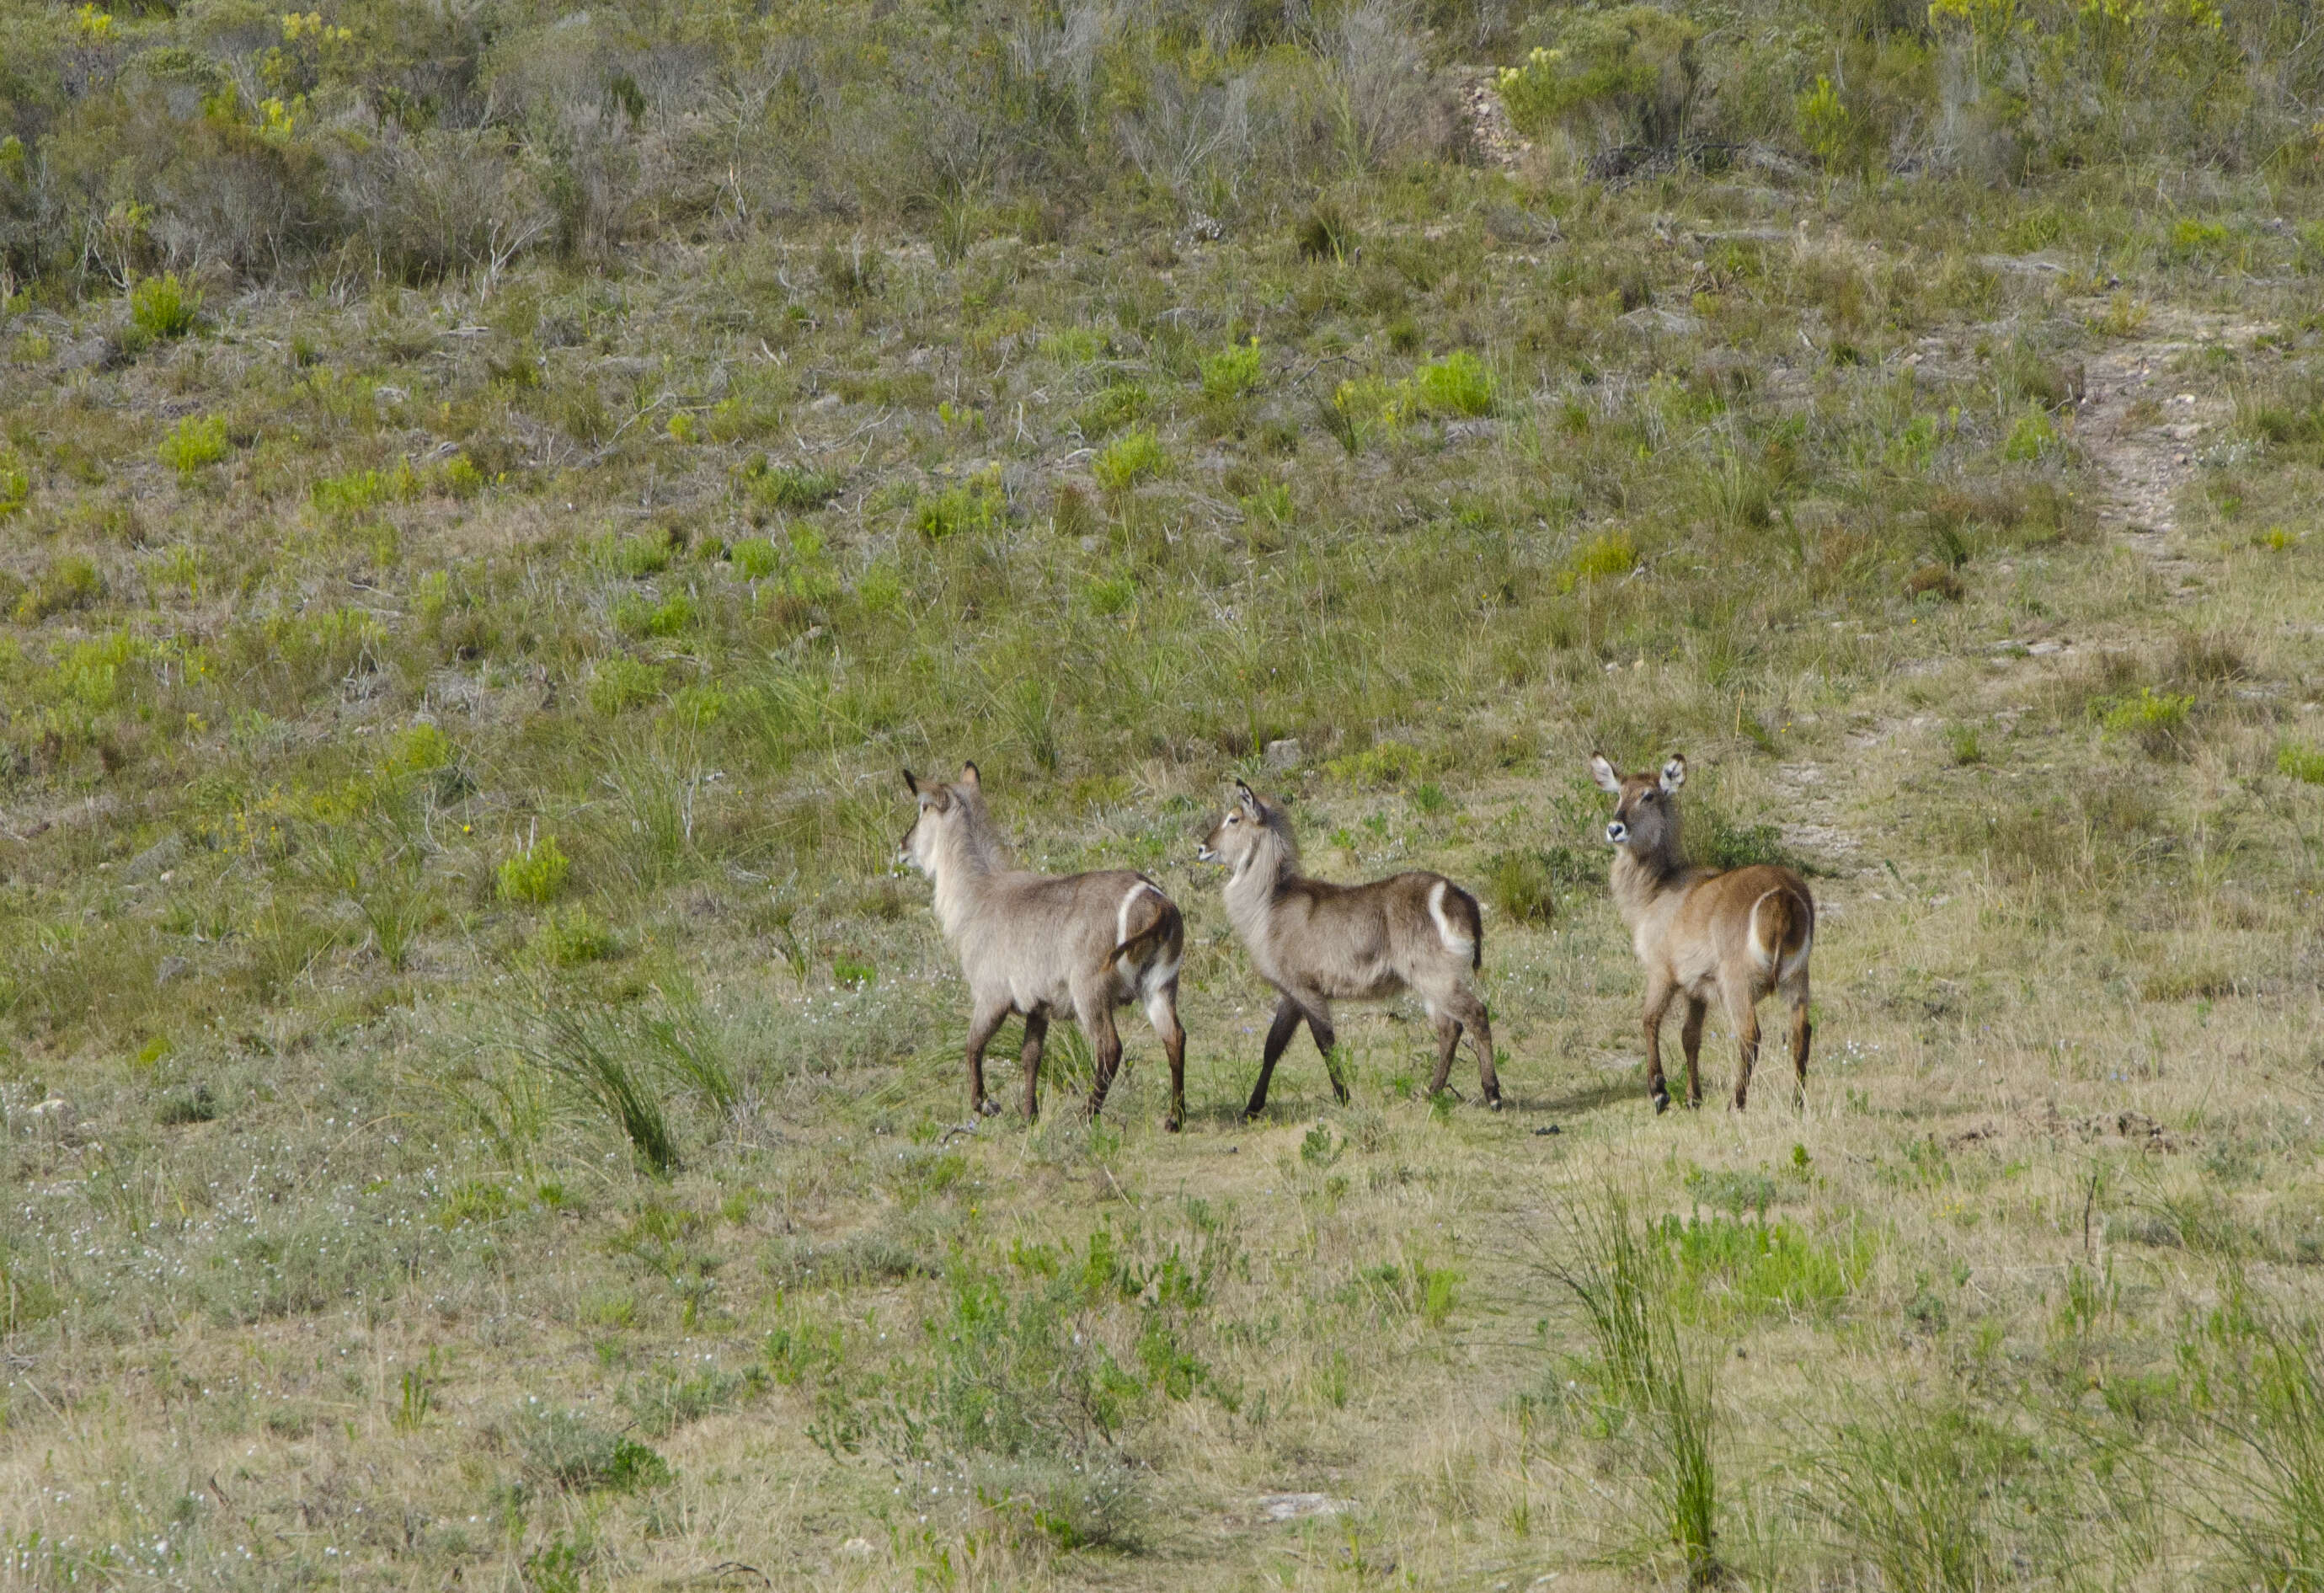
<point>1733,934</point>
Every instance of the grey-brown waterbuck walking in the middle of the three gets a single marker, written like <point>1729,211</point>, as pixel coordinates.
<point>1321,943</point>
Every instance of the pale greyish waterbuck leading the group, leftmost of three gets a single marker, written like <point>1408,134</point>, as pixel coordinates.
<point>1047,943</point>
